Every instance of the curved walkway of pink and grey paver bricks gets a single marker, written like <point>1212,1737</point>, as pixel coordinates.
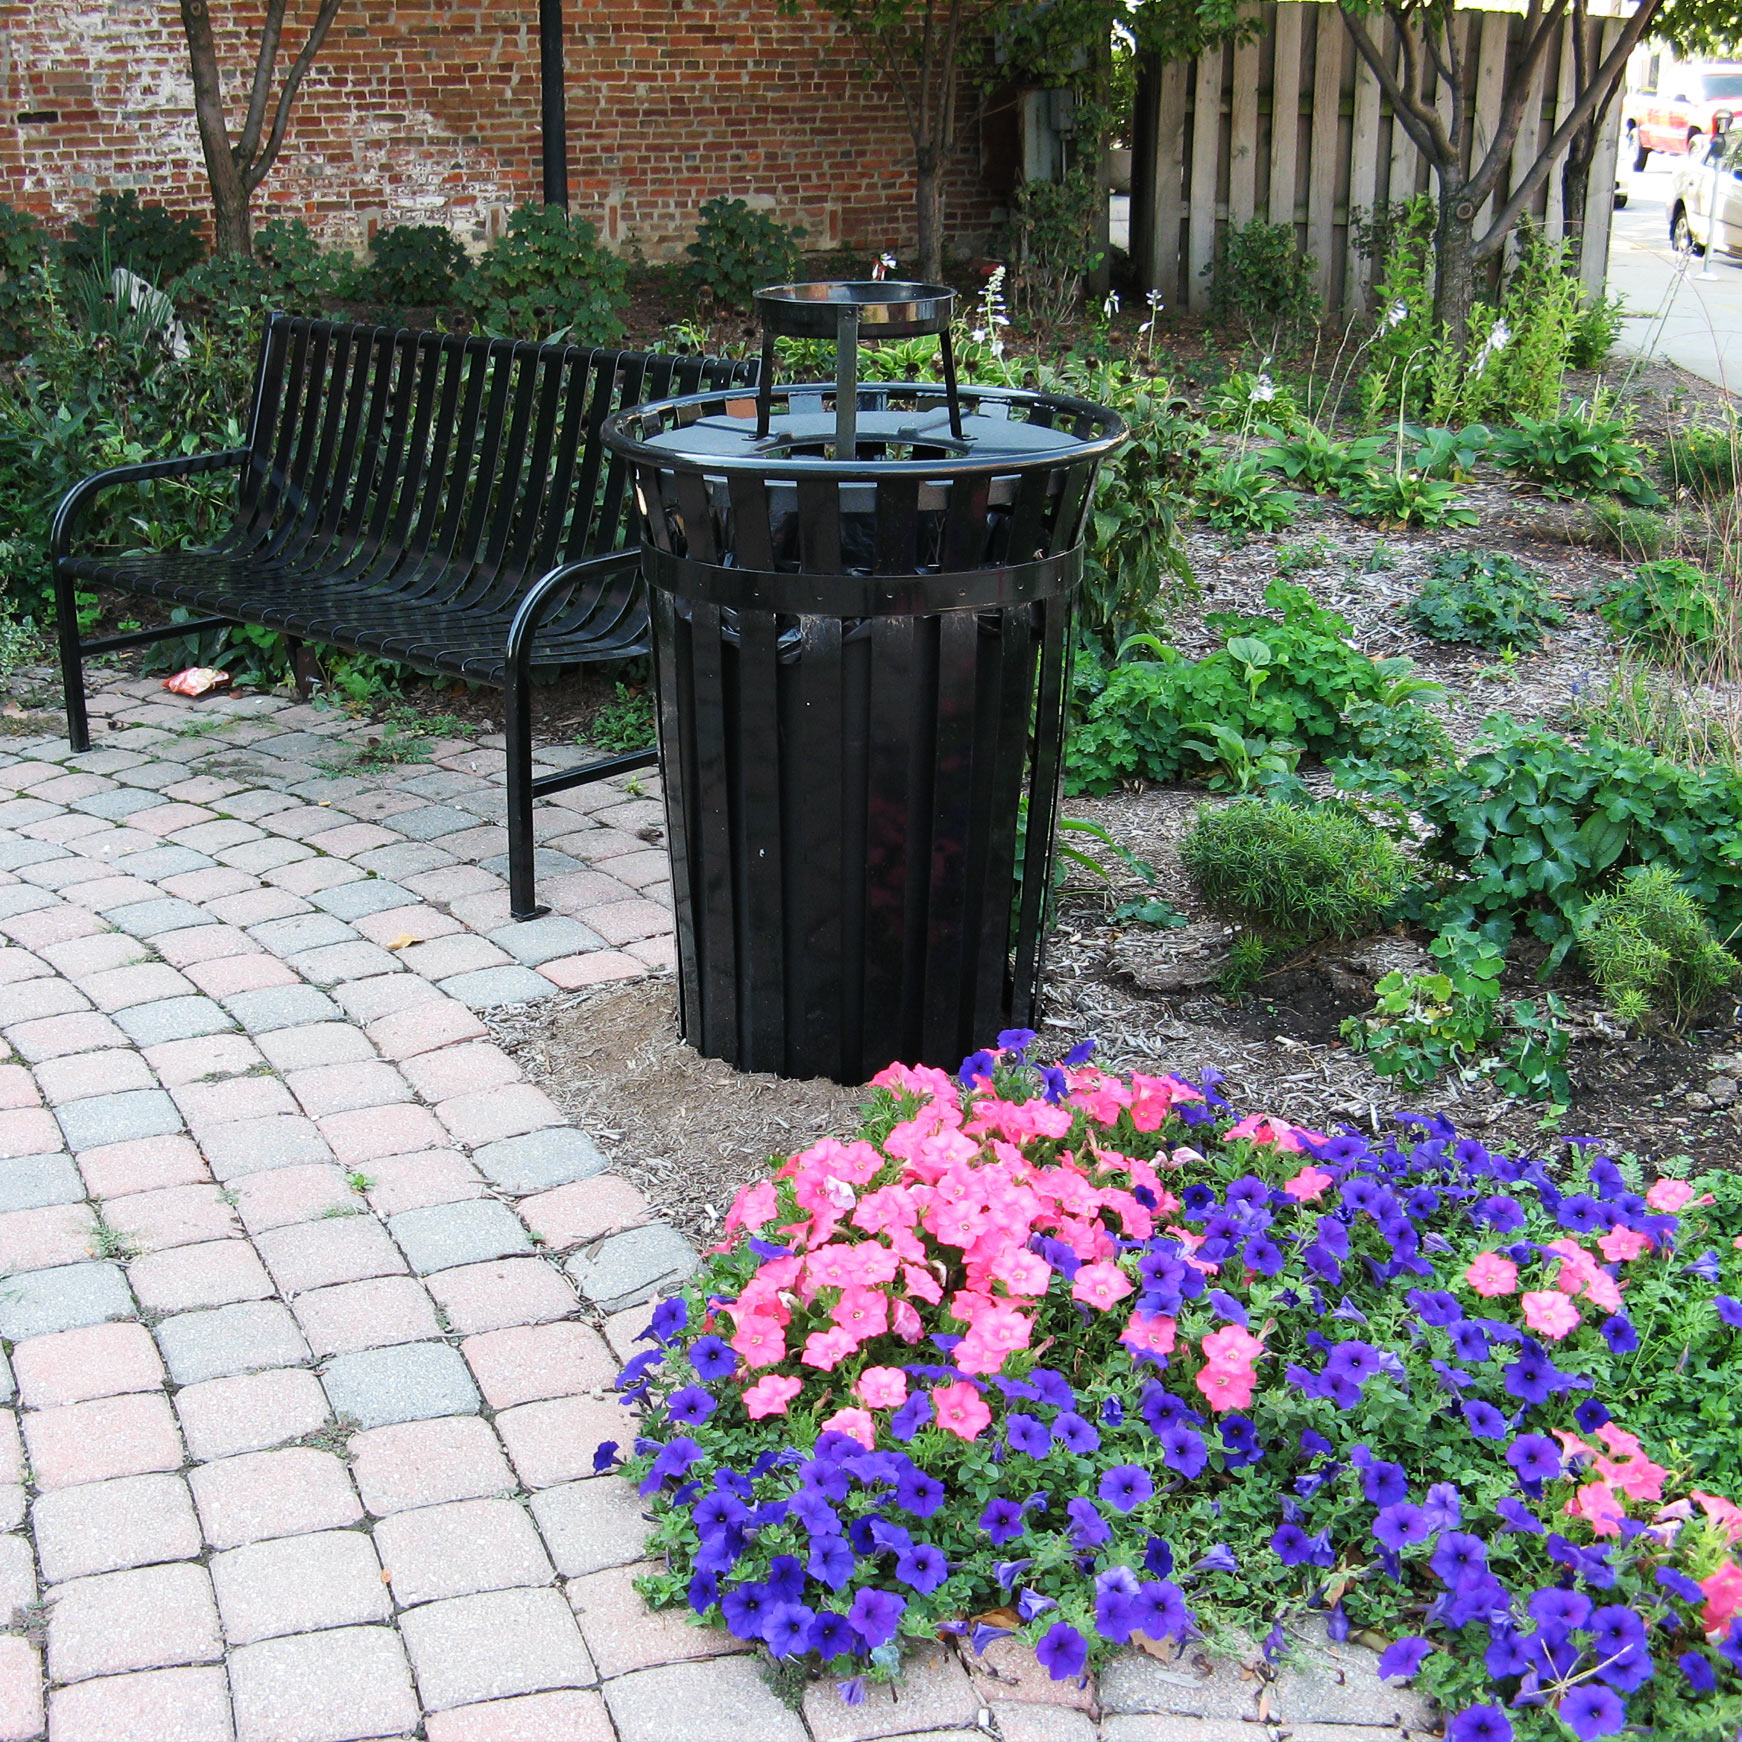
<point>313,1302</point>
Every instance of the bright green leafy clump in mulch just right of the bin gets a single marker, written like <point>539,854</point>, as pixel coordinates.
<point>1144,713</point>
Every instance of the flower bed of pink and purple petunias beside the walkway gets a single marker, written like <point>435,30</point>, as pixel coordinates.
<point>1091,1361</point>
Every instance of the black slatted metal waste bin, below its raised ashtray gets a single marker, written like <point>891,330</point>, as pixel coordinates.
<point>863,673</point>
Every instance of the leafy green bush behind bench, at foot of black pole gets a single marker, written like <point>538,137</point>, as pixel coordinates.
<point>550,278</point>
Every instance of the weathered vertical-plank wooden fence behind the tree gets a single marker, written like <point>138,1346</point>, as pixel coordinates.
<point>1210,151</point>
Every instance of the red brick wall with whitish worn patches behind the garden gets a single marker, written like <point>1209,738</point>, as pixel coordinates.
<point>429,114</point>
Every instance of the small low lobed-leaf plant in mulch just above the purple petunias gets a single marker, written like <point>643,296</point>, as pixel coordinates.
<point>1455,1020</point>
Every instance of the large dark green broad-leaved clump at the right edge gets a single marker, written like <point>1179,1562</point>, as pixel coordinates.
<point>1534,827</point>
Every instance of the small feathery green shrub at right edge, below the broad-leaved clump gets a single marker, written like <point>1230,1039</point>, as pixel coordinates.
<point>1654,954</point>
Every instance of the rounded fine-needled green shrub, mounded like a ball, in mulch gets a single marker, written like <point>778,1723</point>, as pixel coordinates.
<point>1295,874</point>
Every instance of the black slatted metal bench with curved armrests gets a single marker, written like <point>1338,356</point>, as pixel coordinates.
<point>436,501</point>
